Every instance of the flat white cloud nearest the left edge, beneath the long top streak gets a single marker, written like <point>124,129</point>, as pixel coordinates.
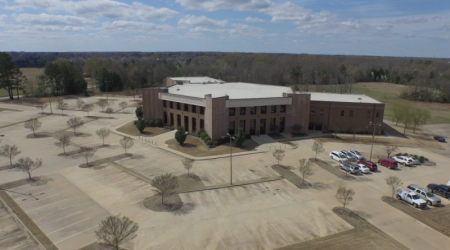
<point>53,20</point>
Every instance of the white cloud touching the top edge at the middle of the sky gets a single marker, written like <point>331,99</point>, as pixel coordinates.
<point>212,5</point>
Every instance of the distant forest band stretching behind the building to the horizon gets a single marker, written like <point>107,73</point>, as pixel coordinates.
<point>428,78</point>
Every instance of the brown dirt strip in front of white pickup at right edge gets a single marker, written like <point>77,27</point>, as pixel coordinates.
<point>437,218</point>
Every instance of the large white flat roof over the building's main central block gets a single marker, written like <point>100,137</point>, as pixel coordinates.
<point>235,90</point>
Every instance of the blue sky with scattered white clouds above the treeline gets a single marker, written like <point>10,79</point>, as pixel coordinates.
<point>411,28</point>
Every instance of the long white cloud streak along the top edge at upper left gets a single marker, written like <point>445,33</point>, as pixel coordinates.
<point>105,8</point>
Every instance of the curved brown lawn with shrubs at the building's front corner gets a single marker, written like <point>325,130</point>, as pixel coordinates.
<point>194,147</point>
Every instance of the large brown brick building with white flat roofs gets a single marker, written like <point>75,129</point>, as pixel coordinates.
<point>221,107</point>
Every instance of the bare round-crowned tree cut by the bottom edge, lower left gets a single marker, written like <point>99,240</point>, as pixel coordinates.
<point>115,230</point>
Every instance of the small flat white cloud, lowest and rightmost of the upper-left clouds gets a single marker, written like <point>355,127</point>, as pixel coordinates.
<point>130,26</point>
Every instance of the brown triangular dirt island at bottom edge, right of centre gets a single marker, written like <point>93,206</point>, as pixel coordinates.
<point>363,236</point>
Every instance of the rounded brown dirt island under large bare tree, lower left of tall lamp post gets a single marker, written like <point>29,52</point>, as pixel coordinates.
<point>172,204</point>
